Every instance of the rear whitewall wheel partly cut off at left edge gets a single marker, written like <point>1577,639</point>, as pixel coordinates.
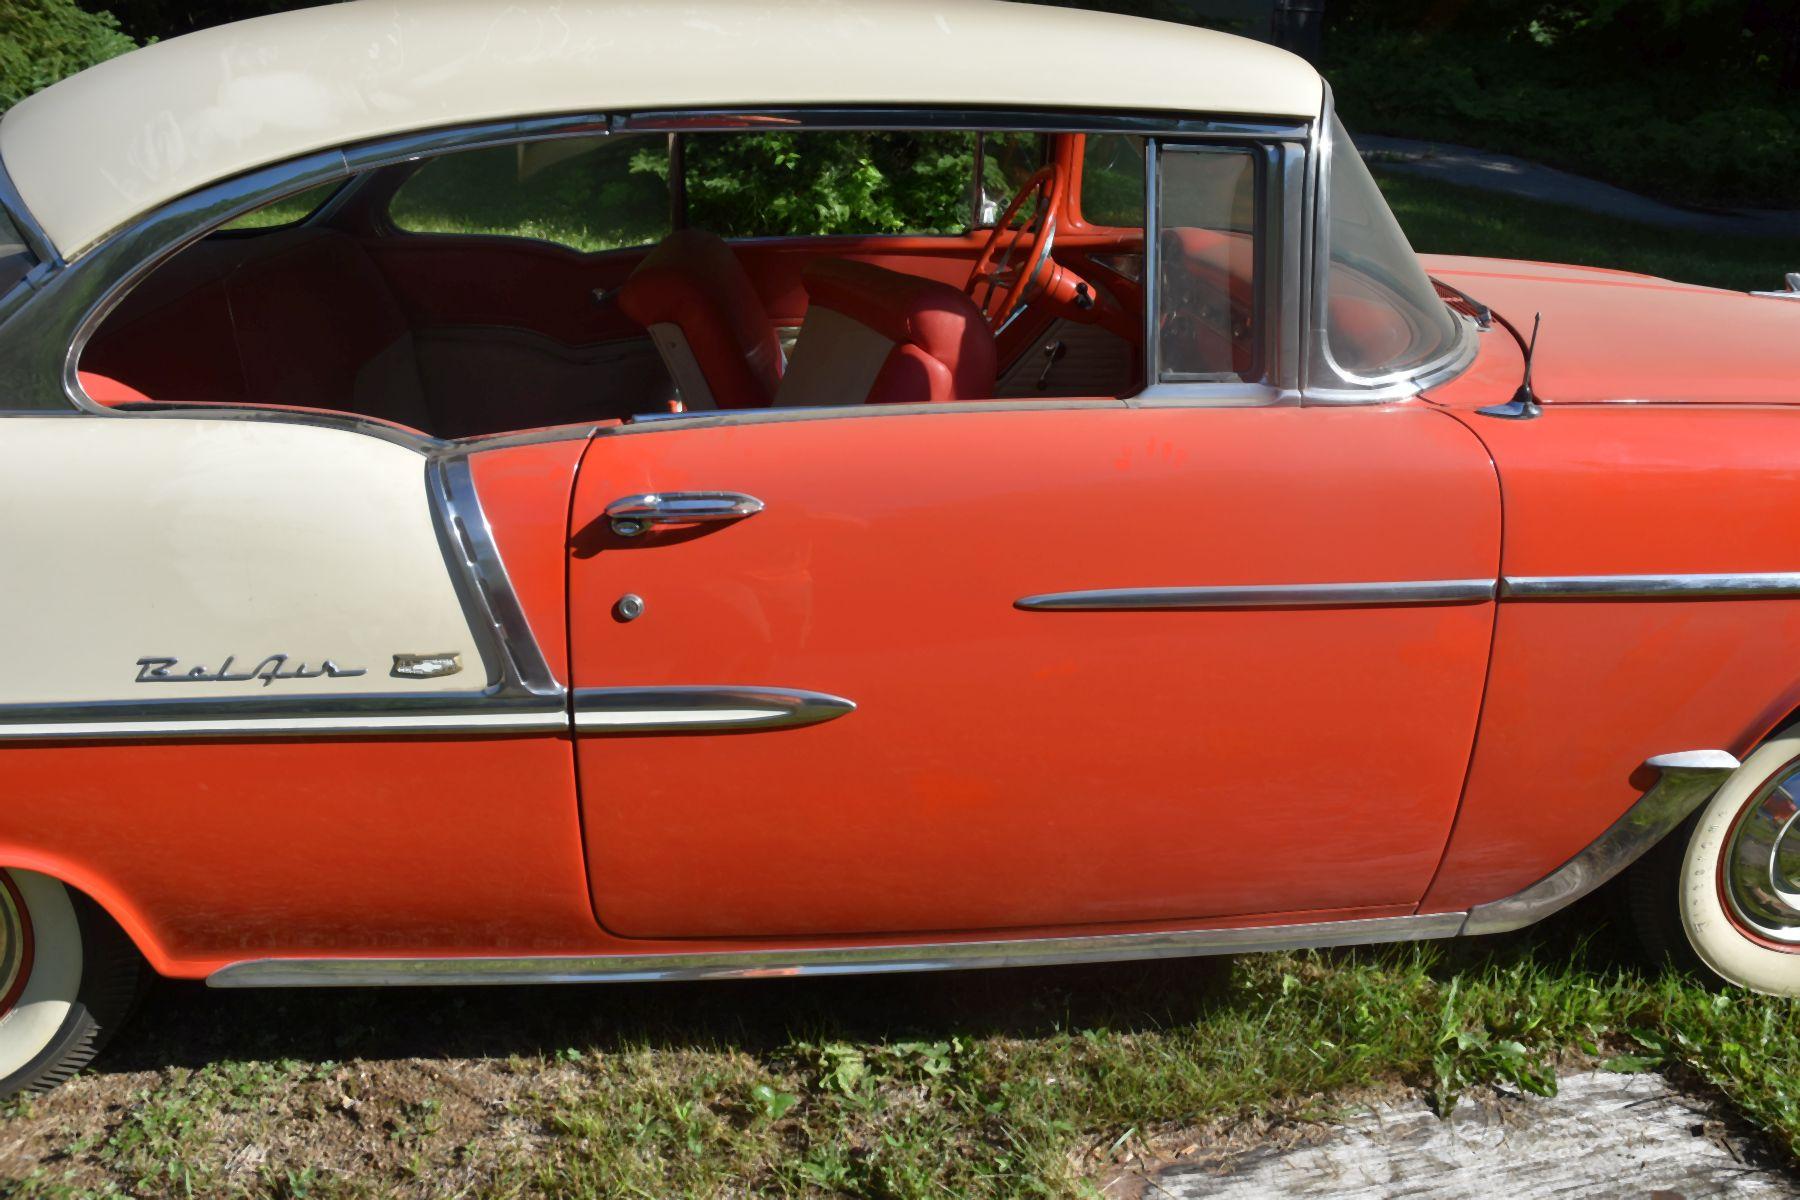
<point>67,980</point>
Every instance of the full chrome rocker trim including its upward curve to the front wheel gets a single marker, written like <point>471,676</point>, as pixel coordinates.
<point>1686,782</point>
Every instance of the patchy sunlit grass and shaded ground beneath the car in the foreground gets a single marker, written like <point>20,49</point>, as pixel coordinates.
<point>1011,1084</point>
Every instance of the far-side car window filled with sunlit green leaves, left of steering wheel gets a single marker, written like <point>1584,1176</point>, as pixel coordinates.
<point>829,183</point>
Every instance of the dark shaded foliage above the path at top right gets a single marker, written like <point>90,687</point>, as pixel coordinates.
<point>1682,100</point>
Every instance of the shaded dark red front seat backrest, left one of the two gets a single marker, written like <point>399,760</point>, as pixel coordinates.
<point>706,321</point>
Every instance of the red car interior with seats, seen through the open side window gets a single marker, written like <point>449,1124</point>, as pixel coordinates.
<point>465,336</point>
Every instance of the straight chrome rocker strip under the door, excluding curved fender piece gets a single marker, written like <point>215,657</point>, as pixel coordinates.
<point>951,956</point>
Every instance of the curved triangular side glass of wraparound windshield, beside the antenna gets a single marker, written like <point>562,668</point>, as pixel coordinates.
<point>1383,316</point>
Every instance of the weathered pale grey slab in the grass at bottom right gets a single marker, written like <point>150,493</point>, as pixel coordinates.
<point>1601,1138</point>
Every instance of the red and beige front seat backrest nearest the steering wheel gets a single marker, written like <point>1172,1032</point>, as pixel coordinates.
<point>881,337</point>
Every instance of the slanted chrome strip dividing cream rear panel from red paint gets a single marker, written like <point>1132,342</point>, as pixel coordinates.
<point>498,620</point>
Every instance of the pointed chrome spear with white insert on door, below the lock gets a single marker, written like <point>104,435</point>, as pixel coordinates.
<point>701,710</point>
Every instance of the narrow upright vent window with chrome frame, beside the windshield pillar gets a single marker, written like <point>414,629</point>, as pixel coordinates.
<point>1207,273</point>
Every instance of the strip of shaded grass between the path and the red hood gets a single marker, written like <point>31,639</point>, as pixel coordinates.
<point>1444,219</point>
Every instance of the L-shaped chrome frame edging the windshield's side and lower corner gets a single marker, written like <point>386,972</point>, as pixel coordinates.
<point>1345,388</point>
